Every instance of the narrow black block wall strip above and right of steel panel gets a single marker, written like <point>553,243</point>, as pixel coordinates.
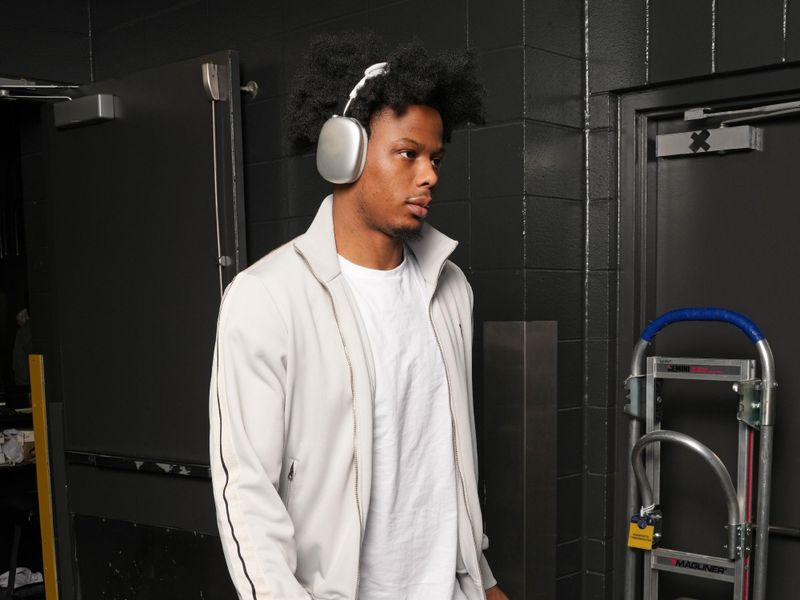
<point>554,242</point>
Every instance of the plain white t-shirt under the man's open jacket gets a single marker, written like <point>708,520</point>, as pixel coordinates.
<point>410,545</point>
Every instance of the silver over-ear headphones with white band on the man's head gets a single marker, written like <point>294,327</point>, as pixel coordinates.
<point>342,144</point>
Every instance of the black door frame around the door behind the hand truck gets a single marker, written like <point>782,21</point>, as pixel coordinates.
<point>637,183</point>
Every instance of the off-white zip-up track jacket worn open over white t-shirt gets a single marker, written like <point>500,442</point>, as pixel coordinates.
<point>291,419</point>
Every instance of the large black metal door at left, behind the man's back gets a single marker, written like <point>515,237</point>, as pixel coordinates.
<point>145,207</point>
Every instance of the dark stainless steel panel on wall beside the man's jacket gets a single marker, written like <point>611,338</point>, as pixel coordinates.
<point>519,454</point>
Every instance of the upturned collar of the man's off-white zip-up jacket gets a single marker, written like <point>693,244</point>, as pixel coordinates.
<point>318,246</point>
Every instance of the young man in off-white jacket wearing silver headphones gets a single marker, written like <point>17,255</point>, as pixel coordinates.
<point>342,431</point>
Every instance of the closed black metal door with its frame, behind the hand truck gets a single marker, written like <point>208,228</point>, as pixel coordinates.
<point>716,230</point>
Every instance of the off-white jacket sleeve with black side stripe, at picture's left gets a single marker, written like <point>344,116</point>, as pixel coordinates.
<point>246,411</point>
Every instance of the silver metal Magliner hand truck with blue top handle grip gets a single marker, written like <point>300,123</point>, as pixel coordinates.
<point>756,413</point>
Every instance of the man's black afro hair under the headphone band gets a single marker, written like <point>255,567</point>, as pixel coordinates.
<point>336,62</point>
